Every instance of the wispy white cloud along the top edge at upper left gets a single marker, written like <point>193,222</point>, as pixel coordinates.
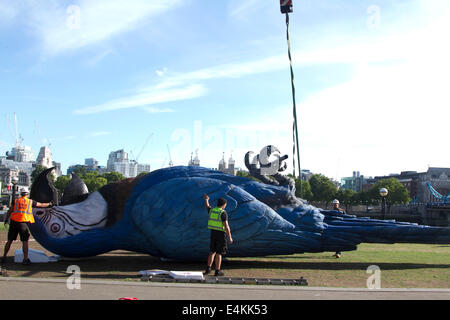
<point>63,28</point>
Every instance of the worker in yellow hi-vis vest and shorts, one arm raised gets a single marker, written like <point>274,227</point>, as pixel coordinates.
<point>218,223</point>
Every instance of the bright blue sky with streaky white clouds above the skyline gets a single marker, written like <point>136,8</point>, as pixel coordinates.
<point>165,79</point>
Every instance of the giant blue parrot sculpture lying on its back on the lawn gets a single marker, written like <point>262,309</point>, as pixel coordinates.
<point>162,214</point>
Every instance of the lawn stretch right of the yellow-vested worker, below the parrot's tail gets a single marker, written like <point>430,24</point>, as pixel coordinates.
<point>401,265</point>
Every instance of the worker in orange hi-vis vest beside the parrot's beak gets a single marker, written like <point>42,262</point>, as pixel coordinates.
<point>21,213</point>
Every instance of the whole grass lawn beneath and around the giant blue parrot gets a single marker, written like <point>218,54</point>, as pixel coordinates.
<point>401,265</point>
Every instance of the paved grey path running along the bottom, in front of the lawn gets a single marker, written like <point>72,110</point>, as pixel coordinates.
<point>49,289</point>
